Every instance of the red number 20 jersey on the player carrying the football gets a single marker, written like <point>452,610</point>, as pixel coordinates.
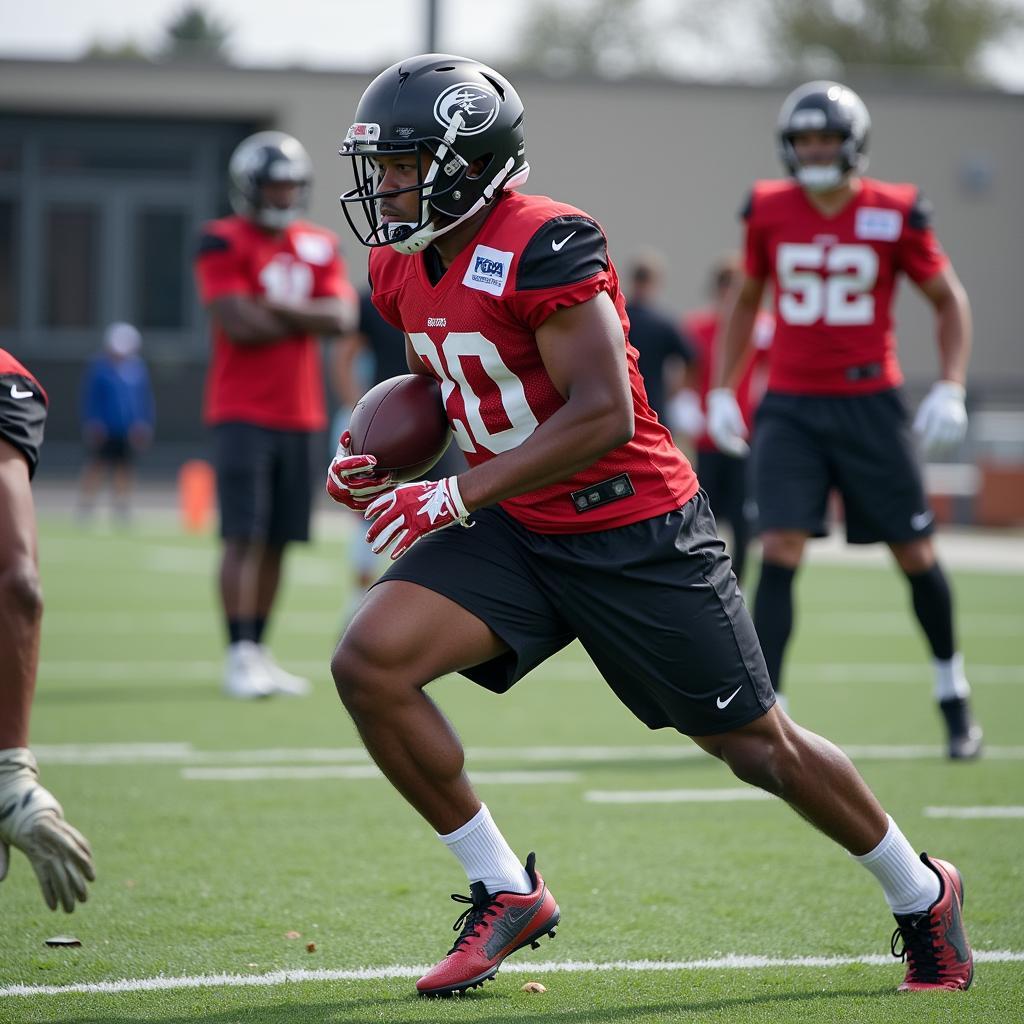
<point>476,331</point>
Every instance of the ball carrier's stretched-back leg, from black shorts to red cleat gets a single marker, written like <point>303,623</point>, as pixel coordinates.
<point>692,660</point>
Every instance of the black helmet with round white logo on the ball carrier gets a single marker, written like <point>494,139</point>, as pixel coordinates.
<point>450,112</point>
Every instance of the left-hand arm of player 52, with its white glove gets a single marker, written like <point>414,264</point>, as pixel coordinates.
<point>726,422</point>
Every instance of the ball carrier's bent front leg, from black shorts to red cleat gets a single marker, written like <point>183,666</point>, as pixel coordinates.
<point>446,608</point>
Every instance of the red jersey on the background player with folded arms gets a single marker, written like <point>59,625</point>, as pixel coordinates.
<point>275,385</point>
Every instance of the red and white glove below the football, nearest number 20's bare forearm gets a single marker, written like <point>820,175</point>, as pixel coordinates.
<point>412,511</point>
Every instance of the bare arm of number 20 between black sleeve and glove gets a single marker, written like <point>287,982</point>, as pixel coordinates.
<point>584,353</point>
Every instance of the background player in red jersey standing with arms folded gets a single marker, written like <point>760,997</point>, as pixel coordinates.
<point>272,283</point>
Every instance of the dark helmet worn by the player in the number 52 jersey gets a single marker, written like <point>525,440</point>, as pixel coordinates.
<point>825,107</point>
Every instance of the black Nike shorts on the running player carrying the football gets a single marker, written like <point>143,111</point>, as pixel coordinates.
<point>656,606</point>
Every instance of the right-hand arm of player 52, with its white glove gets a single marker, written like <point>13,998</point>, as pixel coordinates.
<point>942,419</point>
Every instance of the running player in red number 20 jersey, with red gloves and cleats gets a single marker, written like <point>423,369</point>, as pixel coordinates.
<point>587,522</point>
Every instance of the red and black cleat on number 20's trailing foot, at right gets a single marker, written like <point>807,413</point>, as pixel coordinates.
<point>935,945</point>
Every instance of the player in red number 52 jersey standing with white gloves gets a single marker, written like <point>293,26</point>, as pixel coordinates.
<point>834,244</point>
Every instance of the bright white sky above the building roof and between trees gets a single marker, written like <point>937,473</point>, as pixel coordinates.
<point>349,34</point>
